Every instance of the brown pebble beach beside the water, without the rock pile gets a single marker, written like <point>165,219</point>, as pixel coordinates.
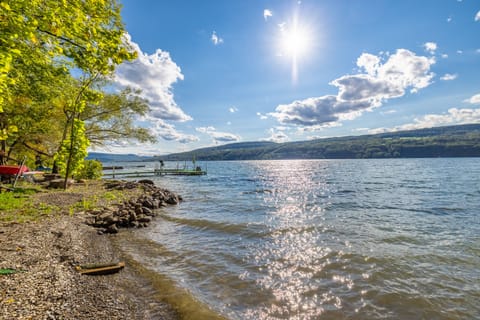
<point>49,287</point>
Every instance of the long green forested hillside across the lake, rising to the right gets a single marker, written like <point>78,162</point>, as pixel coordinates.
<point>450,141</point>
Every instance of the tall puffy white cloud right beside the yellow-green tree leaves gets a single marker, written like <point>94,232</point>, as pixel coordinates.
<point>155,75</point>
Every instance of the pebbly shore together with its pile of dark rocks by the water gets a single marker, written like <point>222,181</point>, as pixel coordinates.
<point>45,253</point>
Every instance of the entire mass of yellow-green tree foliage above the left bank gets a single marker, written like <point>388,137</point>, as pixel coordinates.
<point>54,58</point>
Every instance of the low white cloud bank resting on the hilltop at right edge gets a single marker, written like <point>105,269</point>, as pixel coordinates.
<point>452,117</point>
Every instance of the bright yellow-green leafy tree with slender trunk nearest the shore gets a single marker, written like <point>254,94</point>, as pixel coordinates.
<point>81,35</point>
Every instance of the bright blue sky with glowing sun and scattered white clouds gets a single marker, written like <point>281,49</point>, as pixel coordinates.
<point>224,71</point>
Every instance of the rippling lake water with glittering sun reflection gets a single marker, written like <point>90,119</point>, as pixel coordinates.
<point>318,239</point>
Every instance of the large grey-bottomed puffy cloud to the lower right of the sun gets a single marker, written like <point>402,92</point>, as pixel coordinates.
<point>380,81</point>
